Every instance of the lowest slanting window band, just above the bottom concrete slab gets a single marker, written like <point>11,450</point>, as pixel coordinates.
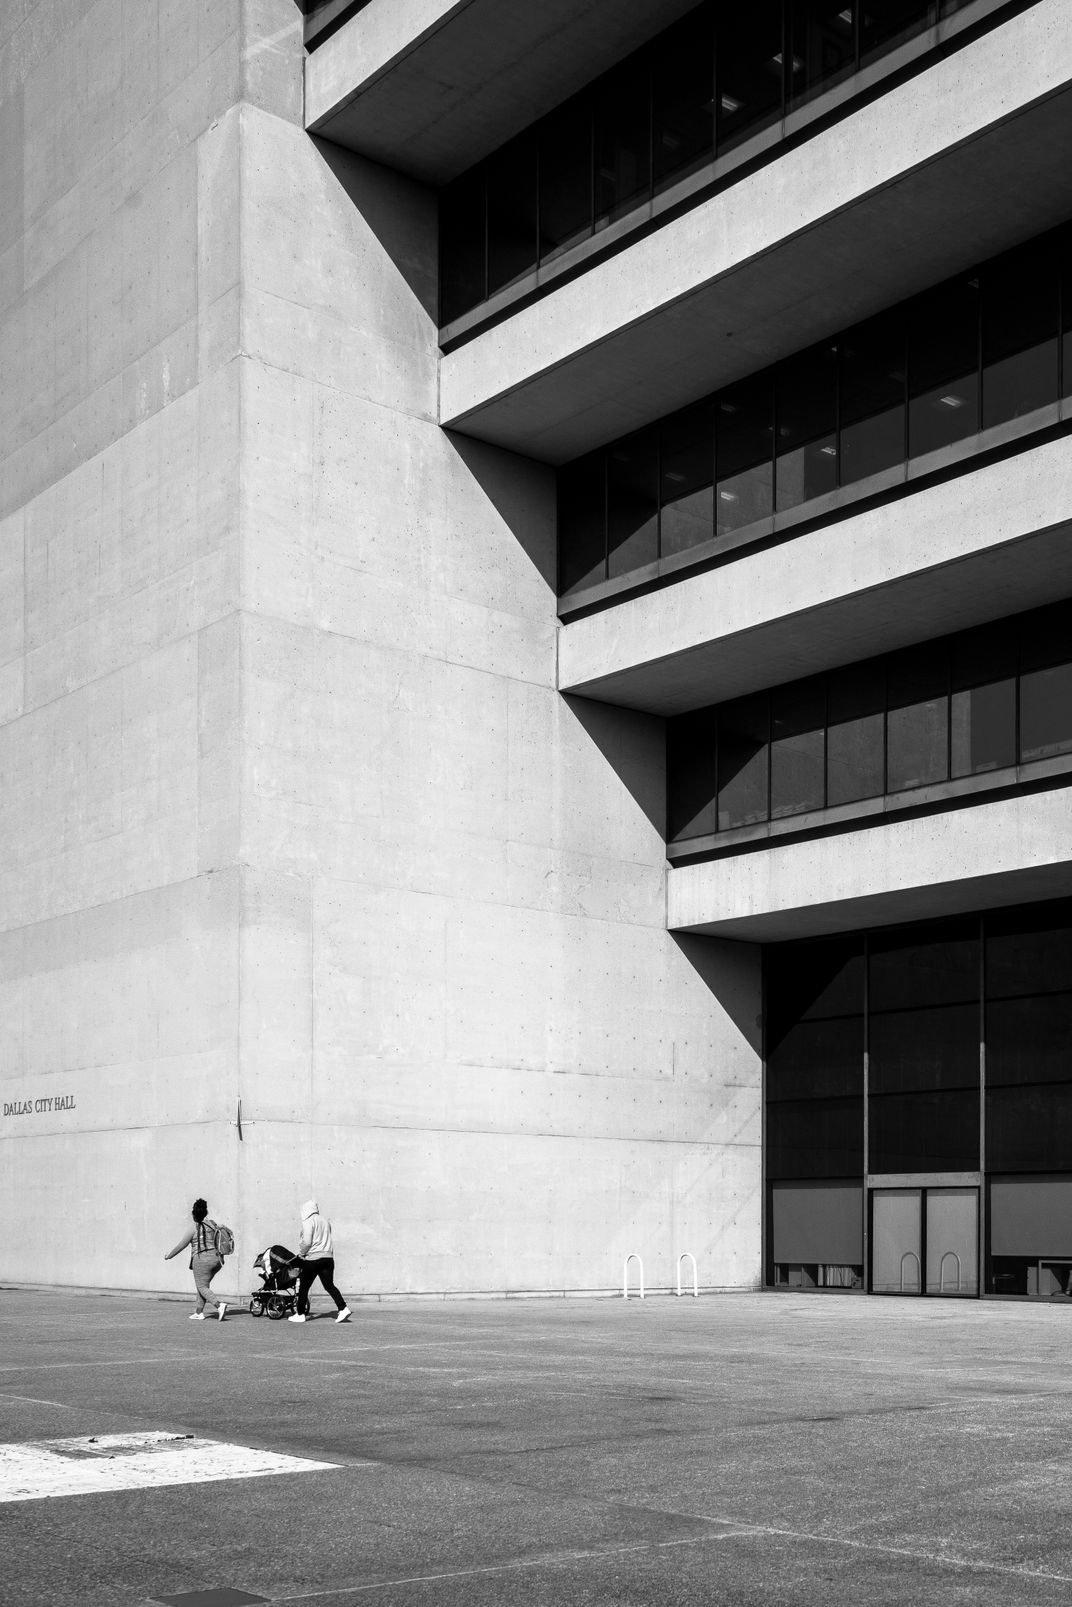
<point>973,705</point>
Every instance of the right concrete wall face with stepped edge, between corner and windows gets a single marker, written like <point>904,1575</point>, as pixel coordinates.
<point>465,1026</point>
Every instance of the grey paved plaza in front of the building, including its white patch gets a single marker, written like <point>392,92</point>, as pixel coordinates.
<point>730,1450</point>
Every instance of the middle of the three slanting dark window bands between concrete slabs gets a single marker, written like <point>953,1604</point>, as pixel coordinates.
<point>988,350</point>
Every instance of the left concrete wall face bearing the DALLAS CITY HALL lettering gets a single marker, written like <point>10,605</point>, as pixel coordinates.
<point>120,483</point>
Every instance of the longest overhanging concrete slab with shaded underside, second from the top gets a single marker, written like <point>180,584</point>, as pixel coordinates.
<point>955,165</point>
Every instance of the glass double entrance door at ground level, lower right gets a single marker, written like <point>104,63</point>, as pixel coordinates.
<point>925,1241</point>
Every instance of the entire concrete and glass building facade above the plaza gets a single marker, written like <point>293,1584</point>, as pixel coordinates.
<point>340,848</point>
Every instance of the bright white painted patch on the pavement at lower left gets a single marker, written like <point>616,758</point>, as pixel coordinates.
<point>83,1466</point>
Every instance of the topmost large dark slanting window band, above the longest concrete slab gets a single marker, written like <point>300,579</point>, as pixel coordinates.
<point>700,89</point>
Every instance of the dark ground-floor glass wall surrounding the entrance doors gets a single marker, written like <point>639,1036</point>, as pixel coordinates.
<point>957,1029</point>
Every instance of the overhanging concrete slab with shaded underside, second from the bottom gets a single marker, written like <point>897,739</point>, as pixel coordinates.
<point>991,542</point>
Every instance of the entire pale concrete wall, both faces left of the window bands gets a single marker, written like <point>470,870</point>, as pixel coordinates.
<point>295,816</point>
